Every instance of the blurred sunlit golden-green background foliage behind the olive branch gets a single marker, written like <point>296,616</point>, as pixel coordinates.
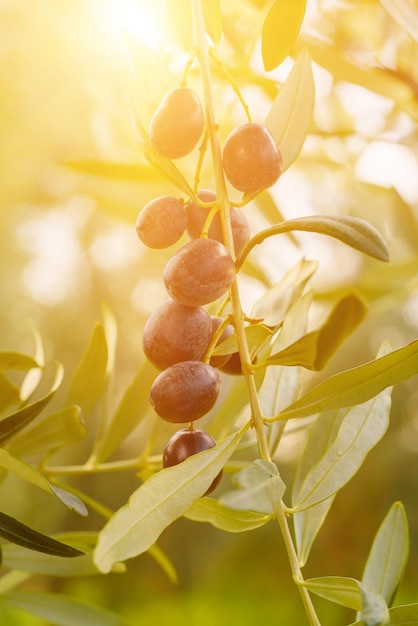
<point>73,178</point>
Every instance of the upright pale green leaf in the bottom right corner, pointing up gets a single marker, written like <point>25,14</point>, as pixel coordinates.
<point>389,554</point>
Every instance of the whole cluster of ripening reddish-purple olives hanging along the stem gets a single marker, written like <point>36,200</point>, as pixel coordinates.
<point>177,335</point>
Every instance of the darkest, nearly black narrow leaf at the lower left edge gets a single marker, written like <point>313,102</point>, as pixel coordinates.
<point>16,532</point>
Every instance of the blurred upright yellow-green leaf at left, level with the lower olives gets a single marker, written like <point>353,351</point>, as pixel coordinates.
<point>90,376</point>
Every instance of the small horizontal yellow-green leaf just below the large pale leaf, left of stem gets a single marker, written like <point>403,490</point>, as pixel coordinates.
<point>220,516</point>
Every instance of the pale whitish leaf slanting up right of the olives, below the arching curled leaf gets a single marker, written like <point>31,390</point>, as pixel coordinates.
<point>277,300</point>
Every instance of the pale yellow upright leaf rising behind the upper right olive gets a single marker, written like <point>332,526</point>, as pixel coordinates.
<point>290,115</point>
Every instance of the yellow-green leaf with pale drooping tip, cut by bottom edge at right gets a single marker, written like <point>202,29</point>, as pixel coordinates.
<point>352,594</point>
